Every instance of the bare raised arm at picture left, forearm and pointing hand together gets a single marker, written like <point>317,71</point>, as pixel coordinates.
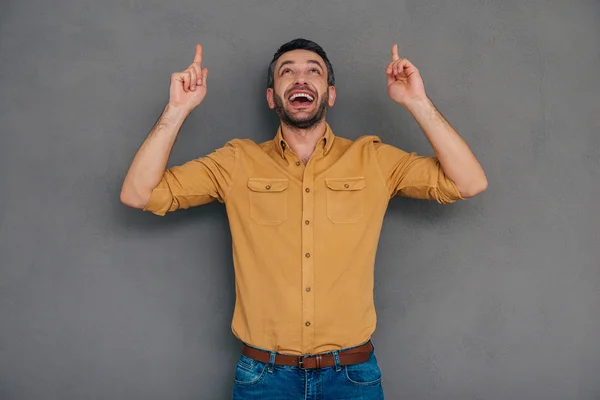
<point>186,92</point>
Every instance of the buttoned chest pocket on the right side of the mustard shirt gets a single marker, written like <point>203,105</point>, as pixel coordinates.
<point>345,199</point>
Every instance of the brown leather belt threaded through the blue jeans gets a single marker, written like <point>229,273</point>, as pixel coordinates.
<point>352,356</point>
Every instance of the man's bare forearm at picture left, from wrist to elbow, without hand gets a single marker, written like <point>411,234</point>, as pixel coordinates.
<point>148,165</point>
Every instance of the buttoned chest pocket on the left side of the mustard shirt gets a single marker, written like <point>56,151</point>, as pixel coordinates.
<point>268,200</point>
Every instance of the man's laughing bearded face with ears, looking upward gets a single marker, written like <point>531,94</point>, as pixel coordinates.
<point>300,93</point>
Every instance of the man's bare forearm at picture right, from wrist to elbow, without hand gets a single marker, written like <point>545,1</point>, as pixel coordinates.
<point>456,158</point>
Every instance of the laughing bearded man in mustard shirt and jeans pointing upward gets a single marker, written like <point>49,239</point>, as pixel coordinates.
<point>305,212</point>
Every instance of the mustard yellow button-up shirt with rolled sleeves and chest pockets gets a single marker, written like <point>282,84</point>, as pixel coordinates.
<point>304,236</point>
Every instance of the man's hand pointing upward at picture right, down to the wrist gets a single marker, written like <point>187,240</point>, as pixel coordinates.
<point>404,80</point>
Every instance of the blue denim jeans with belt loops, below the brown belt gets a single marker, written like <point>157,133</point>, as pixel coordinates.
<point>267,381</point>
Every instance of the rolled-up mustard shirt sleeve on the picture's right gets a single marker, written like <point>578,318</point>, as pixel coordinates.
<point>411,175</point>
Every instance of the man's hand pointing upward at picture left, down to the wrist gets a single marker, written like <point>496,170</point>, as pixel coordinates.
<point>188,88</point>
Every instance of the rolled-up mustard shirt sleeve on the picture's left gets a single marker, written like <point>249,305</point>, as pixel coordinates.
<point>196,182</point>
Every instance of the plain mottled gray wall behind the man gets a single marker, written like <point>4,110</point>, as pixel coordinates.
<point>494,298</point>
